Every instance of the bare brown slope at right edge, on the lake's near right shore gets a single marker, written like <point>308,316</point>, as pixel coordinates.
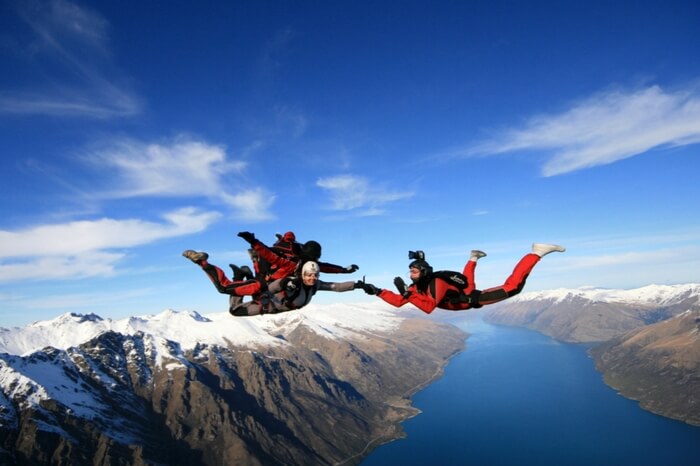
<point>658,365</point>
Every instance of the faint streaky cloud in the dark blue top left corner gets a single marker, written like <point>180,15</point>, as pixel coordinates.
<point>70,51</point>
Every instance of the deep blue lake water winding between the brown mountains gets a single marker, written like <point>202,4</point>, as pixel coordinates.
<point>516,397</point>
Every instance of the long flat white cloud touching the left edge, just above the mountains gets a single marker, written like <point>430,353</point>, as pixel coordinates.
<point>86,248</point>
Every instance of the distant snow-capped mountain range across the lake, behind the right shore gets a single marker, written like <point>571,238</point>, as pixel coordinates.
<point>594,315</point>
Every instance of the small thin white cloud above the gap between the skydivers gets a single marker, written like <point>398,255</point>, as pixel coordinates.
<point>349,192</point>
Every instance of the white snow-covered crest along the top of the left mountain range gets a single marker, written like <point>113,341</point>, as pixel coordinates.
<point>189,328</point>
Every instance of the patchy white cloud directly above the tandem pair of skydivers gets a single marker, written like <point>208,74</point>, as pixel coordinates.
<point>180,168</point>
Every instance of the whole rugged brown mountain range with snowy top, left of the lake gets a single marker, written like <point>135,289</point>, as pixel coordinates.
<point>322,386</point>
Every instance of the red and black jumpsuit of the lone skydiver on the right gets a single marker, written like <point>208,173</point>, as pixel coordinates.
<point>441,294</point>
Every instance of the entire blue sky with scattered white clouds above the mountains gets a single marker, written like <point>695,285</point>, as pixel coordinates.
<point>130,131</point>
